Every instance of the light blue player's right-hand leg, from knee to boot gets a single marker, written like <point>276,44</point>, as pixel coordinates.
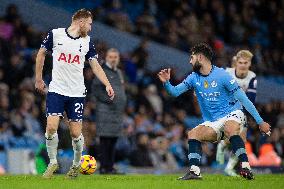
<point>232,130</point>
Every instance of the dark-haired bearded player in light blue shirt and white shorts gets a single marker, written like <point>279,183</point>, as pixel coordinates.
<point>220,99</point>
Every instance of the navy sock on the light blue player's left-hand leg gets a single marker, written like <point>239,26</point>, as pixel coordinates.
<point>195,152</point>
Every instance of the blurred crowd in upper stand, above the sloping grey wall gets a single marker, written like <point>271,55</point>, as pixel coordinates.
<point>226,25</point>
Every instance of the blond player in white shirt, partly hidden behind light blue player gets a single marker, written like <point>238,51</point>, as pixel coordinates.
<point>247,81</point>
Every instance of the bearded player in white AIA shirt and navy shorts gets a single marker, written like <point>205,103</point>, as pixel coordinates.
<point>66,92</point>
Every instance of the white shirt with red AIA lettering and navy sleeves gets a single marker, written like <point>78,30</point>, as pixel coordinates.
<point>69,55</point>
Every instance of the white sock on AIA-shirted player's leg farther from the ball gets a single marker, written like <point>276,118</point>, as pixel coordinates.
<point>51,147</point>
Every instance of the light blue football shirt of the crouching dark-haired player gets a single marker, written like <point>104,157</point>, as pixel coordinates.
<point>214,93</point>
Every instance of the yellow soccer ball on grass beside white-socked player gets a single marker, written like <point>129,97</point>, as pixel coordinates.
<point>88,165</point>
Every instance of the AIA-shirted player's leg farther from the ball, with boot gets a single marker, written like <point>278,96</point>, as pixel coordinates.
<point>51,145</point>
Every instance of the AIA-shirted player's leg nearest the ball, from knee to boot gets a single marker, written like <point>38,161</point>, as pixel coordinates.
<point>78,144</point>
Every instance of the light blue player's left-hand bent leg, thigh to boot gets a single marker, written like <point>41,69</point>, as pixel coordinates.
<point>195,137</point>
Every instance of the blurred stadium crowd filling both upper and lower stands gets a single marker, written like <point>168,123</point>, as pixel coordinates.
<point>155,124</point>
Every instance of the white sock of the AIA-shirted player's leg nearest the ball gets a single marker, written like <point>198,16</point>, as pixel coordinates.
<point>78,144</point>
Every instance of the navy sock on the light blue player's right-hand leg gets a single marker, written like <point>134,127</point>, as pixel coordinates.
<point>238,148</point>
